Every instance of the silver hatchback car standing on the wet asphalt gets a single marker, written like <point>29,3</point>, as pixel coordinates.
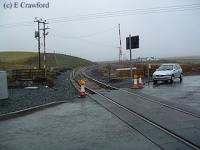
<point>168,72</point>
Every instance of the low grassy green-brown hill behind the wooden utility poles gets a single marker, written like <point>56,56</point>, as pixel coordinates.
<point>19,60</point>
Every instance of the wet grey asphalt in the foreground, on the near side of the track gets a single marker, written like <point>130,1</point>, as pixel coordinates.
<point>80,125</point>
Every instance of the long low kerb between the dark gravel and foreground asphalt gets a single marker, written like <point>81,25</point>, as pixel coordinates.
<point>26,111</point>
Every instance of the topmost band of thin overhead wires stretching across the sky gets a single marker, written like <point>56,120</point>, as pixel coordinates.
<point>152,10</point>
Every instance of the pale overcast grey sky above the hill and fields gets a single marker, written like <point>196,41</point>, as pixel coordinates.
<point>164,30</point>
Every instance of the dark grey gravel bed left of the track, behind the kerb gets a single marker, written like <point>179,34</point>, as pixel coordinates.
<point>20,99</point>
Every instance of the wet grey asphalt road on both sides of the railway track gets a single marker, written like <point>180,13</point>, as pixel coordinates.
<point>86,125</point>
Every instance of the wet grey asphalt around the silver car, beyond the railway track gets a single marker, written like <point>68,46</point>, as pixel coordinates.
<point>185,94</point>
